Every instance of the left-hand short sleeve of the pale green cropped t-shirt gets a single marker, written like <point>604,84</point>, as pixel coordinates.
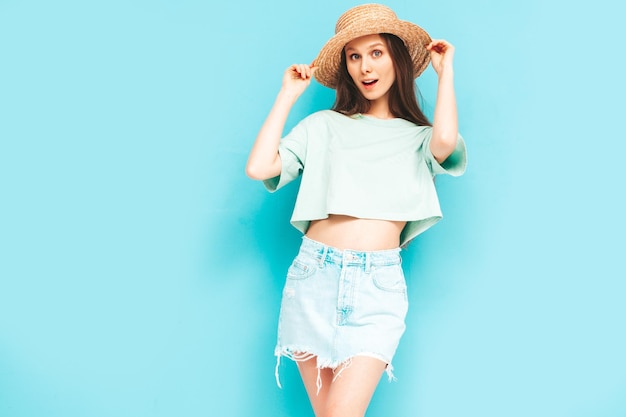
<point>292,151</point>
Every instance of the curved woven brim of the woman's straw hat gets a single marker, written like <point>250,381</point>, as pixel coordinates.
<point>329,59</point>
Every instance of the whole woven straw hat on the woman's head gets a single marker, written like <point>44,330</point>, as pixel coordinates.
<point>368,19</point>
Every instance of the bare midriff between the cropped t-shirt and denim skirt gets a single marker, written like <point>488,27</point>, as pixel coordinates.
<point>345,232</point>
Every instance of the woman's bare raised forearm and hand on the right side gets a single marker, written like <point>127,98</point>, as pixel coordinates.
<point>445,124</point>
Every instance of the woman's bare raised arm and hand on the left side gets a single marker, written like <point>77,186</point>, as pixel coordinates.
<point>264,160</point>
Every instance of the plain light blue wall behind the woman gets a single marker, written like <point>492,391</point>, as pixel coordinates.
<point>140,270</point>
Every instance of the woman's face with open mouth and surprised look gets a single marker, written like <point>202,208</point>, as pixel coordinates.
<point>370,66</point>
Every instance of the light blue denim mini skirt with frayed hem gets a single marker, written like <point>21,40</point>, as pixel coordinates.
<point>337,304</point>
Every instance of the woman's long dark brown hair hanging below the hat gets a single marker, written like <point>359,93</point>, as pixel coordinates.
<point>402,94</point>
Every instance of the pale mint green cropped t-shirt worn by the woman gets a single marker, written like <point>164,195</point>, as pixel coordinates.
<point>364,167</point>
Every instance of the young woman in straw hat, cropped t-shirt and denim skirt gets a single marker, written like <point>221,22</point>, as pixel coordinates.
<point>367,188</point>
